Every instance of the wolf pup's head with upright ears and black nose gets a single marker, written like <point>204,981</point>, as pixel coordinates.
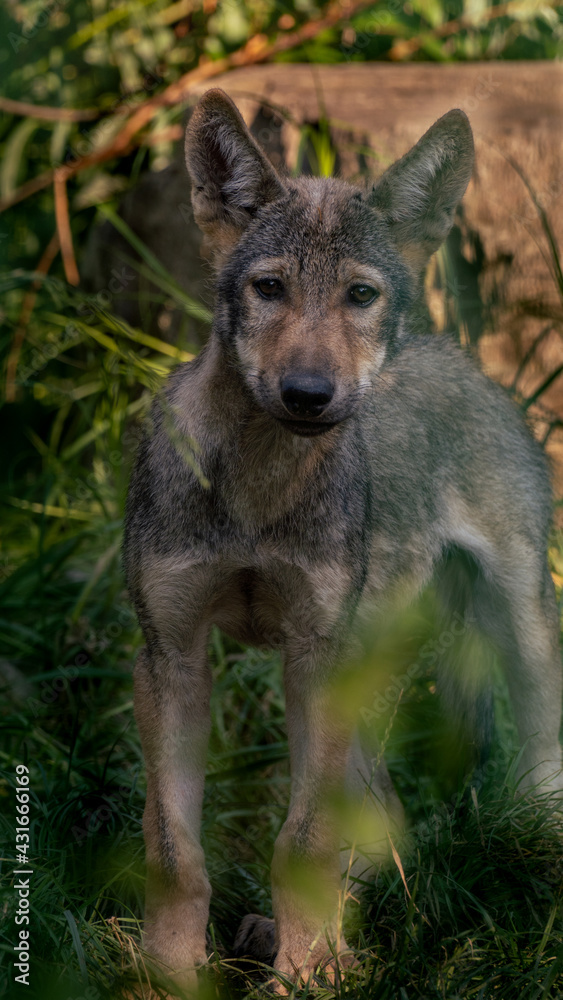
<point>315,276</point>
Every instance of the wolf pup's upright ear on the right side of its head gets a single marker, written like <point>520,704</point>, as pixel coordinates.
<point>419,194</point>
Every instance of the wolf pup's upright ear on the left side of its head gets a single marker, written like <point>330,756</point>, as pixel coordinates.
<point>230,174</point>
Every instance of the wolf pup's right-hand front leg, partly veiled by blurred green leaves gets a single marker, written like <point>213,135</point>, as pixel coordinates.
<point>306,868</point>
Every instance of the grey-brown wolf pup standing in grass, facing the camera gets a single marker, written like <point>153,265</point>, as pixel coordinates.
<point>347,457</point>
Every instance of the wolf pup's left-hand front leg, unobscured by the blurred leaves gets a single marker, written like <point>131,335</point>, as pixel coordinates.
<point>172,694</point>
